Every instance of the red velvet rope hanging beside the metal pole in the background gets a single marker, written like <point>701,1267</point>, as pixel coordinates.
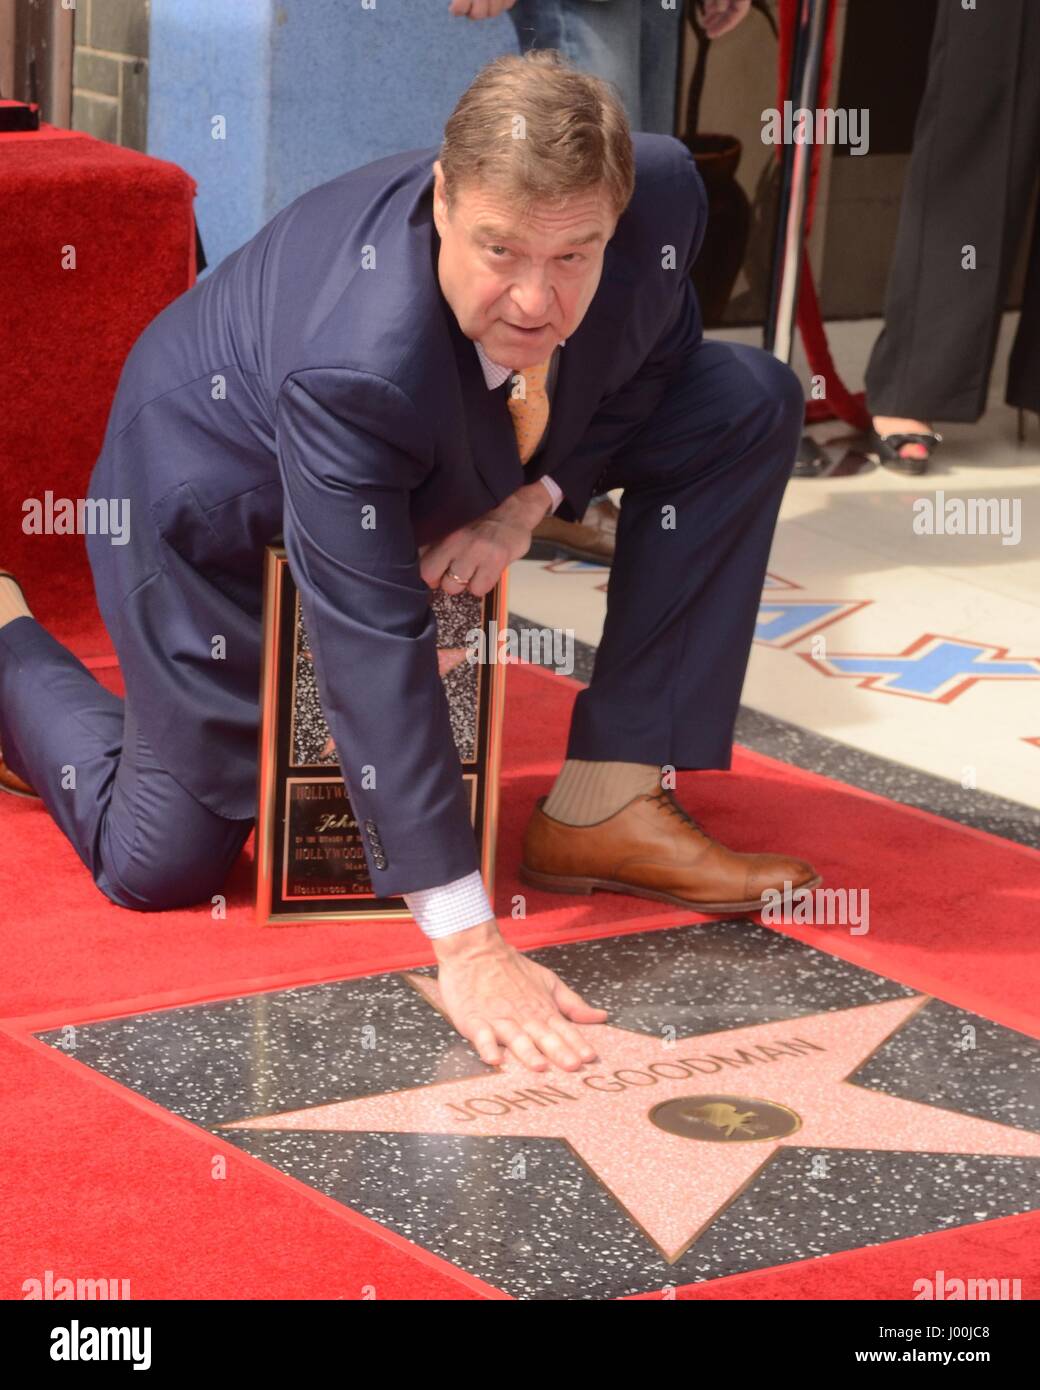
<point>839,402</point>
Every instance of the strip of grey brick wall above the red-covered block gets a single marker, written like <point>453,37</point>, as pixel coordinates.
<point>111,72</point>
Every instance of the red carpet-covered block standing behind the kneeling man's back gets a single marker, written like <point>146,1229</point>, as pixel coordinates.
<point>127,220</point>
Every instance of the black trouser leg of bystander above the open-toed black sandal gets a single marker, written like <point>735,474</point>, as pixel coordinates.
<point>971,177</point>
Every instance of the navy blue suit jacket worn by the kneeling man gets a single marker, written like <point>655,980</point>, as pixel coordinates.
<point>316,373</point>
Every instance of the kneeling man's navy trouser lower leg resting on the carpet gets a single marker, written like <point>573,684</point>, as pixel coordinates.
<point>147,843</point>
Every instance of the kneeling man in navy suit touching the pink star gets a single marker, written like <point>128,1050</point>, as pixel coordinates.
<point>401,375</point>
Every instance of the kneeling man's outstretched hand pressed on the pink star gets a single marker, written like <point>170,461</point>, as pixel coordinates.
<point>497,997</point>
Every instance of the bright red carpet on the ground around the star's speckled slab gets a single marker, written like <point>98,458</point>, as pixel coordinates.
<point>101,1182</point>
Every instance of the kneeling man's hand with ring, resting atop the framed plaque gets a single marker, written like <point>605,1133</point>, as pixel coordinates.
<point>479,553</point>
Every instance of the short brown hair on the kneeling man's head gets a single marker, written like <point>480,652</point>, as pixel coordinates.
<point>536,129</point>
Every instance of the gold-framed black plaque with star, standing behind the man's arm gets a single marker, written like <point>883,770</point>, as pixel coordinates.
<point>309,858</point>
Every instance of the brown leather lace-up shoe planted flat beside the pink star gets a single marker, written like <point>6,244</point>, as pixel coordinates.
<point>654,849</point>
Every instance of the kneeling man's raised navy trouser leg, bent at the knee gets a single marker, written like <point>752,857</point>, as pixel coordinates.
<point>683,598</point>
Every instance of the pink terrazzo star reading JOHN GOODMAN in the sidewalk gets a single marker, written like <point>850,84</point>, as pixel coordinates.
<point>675,1185</point>
